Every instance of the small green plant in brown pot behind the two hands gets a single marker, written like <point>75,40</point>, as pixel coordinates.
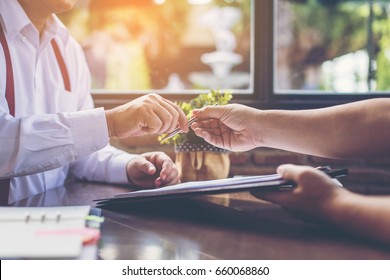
<point>195,158</point>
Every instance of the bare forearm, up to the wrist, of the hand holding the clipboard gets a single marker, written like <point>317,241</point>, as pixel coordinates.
<point>366,216</point>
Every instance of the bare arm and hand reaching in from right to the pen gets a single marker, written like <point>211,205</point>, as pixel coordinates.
<point>353,130</point>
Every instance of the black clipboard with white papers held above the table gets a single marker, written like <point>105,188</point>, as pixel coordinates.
<point>271,182</point>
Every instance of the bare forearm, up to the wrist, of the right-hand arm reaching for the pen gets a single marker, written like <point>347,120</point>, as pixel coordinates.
<point>352,130</point>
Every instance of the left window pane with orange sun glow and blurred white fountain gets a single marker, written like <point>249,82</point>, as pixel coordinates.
<point>165,45</point>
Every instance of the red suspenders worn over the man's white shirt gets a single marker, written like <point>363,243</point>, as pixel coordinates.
<point>10,95</point>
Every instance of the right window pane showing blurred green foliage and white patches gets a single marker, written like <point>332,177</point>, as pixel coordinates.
<point>332,46</point>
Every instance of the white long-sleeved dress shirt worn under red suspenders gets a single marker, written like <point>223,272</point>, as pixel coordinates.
<point>55,133</point>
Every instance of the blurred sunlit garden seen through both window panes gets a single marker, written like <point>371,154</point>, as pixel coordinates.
<point>336,46</point>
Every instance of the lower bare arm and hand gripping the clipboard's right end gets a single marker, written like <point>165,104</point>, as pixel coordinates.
<point>318,196</point>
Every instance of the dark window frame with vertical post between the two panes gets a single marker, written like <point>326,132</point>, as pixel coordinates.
<point>264,95</point>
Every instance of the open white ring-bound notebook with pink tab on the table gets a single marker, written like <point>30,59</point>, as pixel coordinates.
<point>42,232</point>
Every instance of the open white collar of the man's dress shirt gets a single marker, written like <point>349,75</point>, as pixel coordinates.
<point>15,20</point>
